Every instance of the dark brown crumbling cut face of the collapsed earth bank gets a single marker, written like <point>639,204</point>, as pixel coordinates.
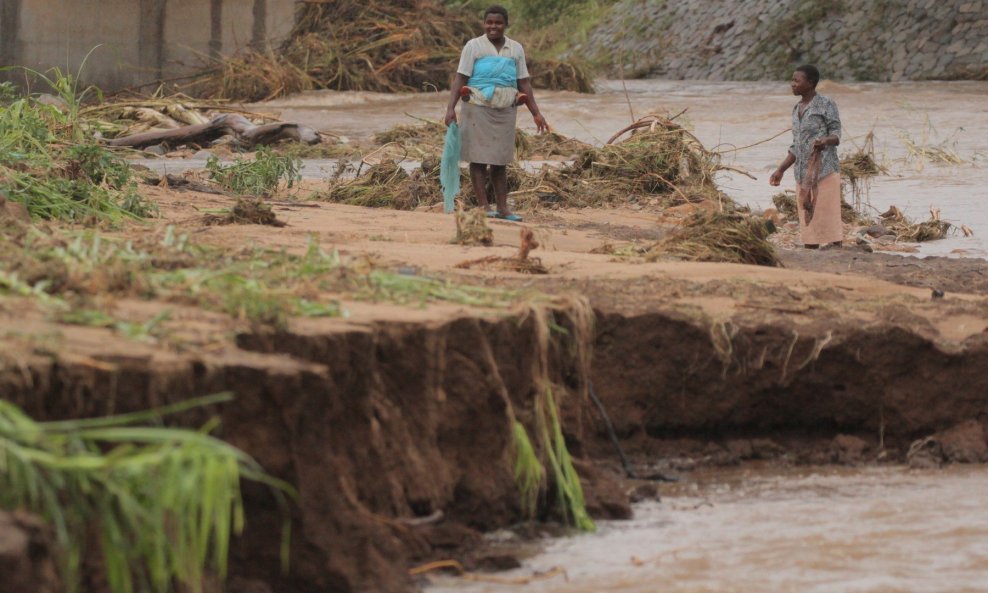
<point>397,432</point>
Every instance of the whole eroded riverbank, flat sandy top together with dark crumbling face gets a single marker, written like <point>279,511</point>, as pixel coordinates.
<point>394,422</point>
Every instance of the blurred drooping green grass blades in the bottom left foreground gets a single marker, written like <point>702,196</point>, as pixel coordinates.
<point>162,502</point>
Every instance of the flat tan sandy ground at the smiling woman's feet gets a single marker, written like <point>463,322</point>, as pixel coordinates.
<point>419,242</point>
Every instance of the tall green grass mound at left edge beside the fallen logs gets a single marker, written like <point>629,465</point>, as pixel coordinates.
<point>48,164</point>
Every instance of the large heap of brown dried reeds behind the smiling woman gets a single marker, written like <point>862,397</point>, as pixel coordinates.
<point>364,46</point>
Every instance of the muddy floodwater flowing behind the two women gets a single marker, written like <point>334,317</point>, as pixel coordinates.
<point>952,116</point>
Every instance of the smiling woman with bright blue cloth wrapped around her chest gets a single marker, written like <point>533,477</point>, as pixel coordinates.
<point>492,68</point>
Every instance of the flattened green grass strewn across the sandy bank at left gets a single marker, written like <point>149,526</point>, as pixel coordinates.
<point>69,272</point>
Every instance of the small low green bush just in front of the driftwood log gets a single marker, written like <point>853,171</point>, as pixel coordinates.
<point>259,176</point>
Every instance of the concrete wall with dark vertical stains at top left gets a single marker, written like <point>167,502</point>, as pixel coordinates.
<point>140,41</point>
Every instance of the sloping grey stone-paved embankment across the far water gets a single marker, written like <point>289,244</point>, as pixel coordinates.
<point>884,40</point>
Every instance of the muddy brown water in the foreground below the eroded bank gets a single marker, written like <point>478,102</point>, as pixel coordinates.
<point>875,530</point>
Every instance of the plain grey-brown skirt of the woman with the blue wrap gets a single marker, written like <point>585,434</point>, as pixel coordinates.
<point>488,135</point>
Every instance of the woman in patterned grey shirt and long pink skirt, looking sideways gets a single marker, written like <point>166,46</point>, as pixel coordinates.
<point>816,133</point>
